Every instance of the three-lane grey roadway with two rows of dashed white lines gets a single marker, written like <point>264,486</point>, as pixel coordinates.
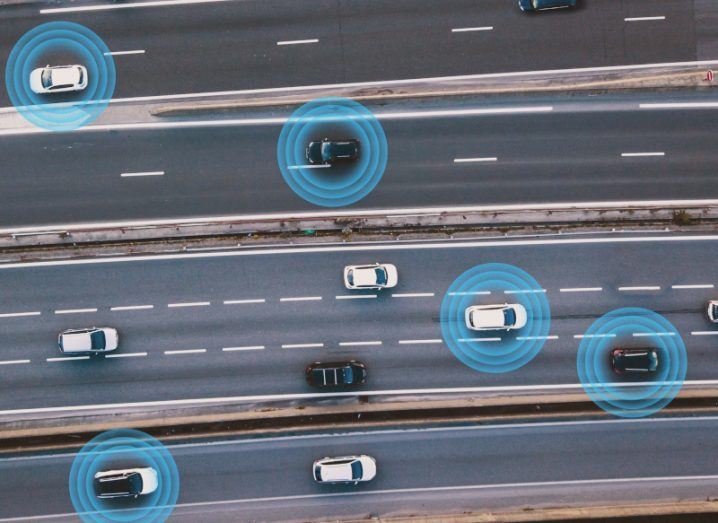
<point>245,322</point>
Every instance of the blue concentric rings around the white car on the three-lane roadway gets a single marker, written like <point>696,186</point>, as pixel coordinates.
<point>495,283</point>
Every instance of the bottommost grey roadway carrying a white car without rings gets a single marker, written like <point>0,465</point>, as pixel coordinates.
<point>422,470</point>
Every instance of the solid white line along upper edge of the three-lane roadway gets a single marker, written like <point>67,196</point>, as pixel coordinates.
<point>371,247</point>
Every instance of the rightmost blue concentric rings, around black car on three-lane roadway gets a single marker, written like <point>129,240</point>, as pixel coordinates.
<point>631,327</point>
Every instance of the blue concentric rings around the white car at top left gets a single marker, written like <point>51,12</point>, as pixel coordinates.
<point>86,48</point>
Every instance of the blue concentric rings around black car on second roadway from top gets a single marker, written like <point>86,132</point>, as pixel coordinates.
<point>334,118</point>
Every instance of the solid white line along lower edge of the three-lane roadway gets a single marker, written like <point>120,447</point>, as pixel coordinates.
<point>325,395</point>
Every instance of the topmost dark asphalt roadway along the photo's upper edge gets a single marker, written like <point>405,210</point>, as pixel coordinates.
<point>249,44</point>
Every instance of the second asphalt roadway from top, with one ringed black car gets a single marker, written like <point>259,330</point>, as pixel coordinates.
<point>561,149</point>
